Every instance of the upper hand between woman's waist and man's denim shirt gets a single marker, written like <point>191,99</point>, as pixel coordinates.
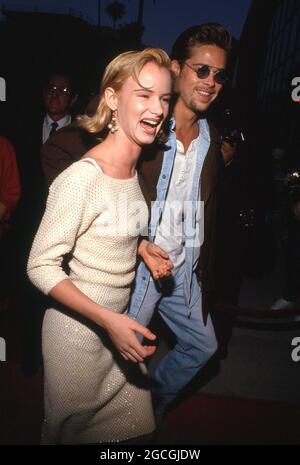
<point>156,259</point>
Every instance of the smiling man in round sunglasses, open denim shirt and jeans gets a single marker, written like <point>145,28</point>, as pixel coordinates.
<point>180,181</point>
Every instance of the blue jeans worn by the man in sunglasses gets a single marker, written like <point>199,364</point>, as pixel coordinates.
<point>195,342</point>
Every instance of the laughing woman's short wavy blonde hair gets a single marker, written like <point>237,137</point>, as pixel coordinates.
<point>117,71</point>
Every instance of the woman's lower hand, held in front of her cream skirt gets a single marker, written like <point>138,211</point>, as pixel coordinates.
<point>121,330</point>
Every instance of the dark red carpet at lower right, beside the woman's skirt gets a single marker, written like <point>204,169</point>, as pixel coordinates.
<point>207,419</point>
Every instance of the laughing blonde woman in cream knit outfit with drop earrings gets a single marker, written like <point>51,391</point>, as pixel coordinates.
<point>96,211</point>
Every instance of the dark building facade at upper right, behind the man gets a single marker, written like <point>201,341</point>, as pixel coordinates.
<point>269,61</point>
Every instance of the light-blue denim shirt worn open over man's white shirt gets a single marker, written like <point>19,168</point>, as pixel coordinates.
<point>191,252</point>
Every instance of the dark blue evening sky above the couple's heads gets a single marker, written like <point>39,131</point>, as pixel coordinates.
<point>164,20</point>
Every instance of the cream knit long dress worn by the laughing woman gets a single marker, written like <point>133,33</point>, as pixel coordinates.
<point>91,394</point>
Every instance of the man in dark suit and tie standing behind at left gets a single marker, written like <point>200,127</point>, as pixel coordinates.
<point>59,96</point>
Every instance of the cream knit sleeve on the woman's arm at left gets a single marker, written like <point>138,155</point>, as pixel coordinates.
<point>65,218</point>
